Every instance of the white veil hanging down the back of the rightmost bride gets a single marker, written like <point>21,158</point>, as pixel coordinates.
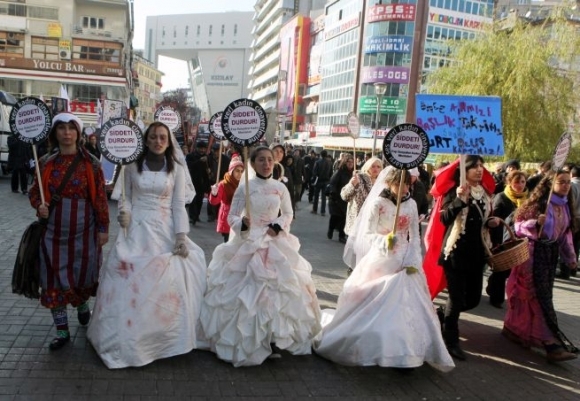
<point>356,246</point>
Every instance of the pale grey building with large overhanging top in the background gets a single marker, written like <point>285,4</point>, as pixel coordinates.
<point>216,47</point>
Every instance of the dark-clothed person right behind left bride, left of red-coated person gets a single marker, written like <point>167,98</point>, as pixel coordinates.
<point>199,170</point>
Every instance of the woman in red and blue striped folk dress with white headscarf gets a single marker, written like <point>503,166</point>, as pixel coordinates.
<point>78,224</point>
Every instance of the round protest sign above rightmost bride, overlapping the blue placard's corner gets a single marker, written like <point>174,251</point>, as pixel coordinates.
<point>406,146</point>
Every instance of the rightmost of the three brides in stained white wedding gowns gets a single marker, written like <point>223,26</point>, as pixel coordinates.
<point>384,314</point>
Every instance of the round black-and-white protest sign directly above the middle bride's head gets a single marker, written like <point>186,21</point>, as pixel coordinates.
<point>244,122</point>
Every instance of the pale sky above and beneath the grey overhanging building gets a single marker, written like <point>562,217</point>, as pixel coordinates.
<point>144,8</point>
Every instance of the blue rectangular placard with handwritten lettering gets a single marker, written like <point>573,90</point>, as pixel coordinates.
<point>462,124</point>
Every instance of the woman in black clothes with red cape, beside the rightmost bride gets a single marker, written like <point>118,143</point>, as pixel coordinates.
<point>454,241</point>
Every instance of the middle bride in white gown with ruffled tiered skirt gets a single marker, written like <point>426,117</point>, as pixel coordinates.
<point>260,296</point>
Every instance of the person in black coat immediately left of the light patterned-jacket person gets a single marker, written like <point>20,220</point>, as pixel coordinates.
<point>337,206</point>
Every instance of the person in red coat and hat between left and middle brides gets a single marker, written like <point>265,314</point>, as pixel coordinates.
<point>223,193</point>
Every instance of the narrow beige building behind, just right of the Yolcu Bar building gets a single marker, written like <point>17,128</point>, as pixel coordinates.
<point>147,87</point>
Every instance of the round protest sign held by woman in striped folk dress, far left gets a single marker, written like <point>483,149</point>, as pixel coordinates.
<point>30,120</point>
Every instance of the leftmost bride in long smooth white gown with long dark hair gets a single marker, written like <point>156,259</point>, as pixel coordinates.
<point>152,286</point>
